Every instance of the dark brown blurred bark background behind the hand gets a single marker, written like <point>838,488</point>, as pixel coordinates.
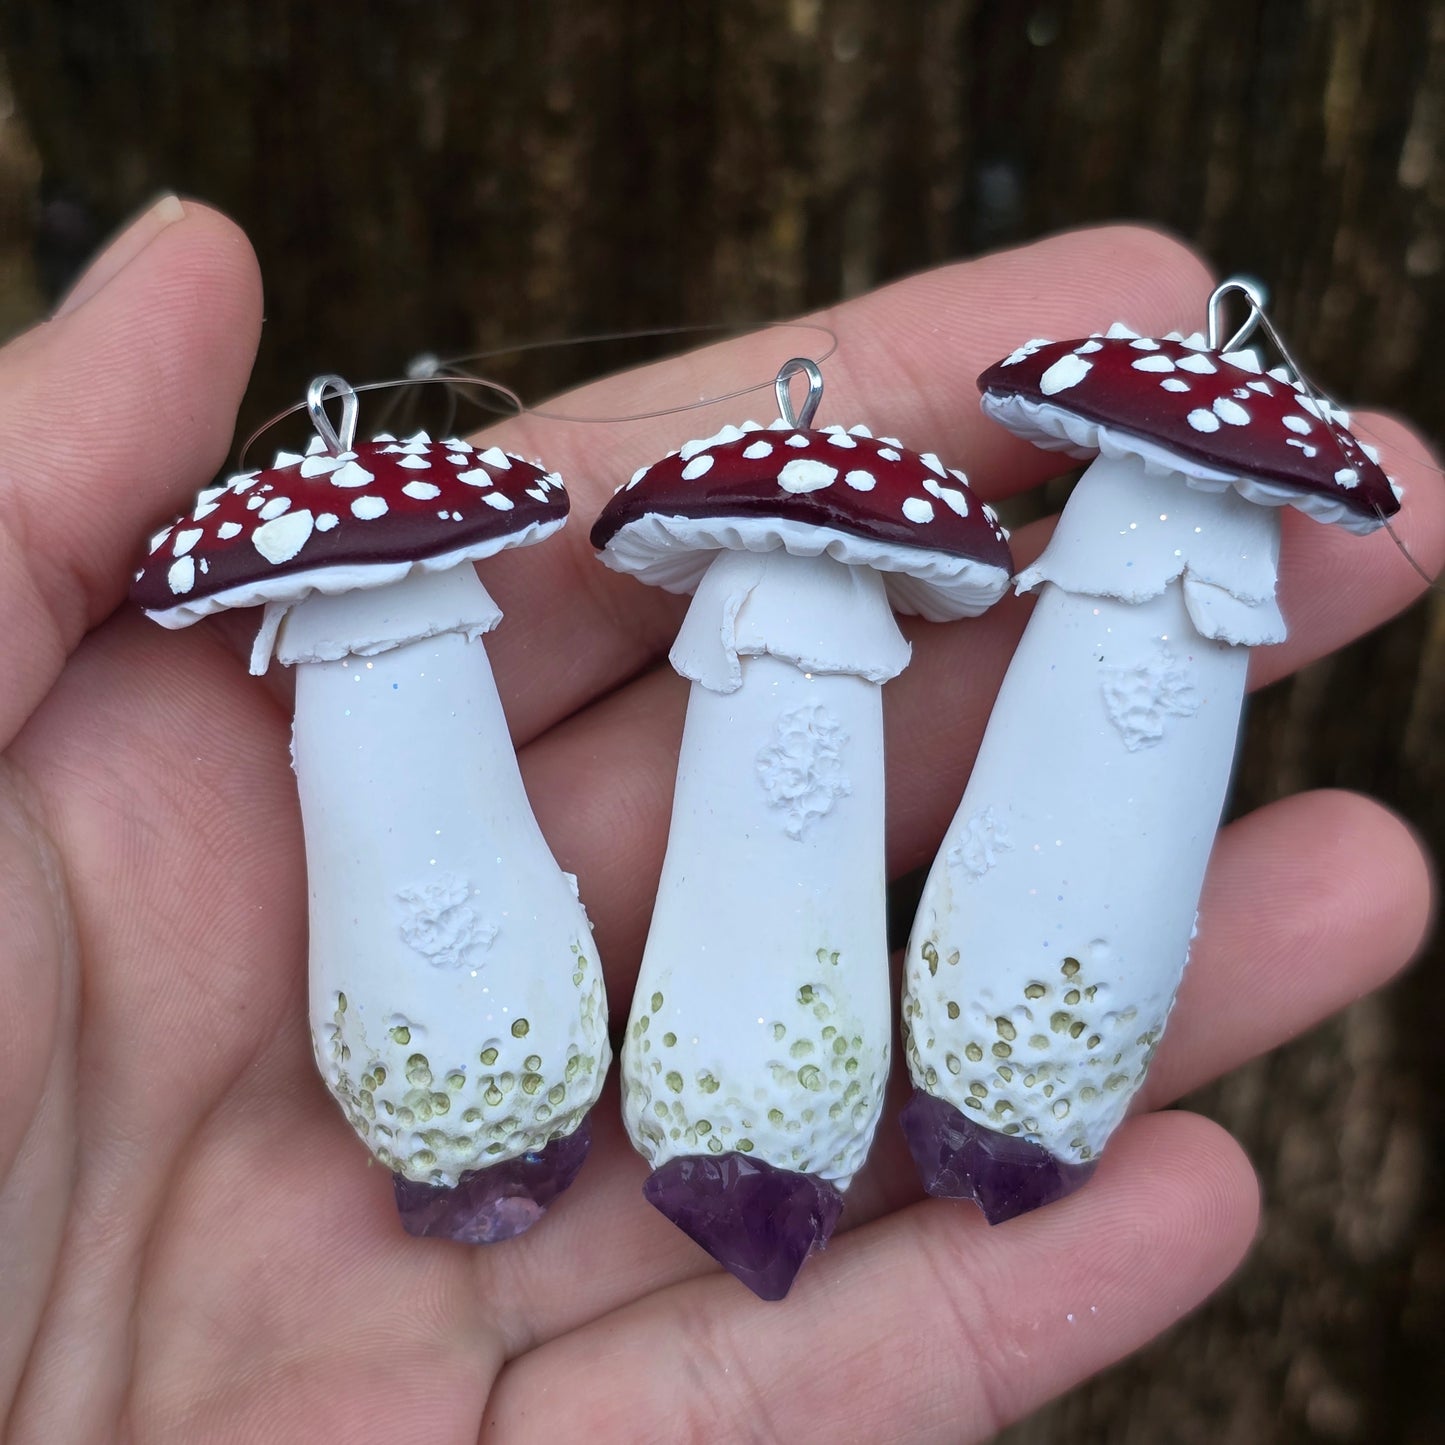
<point>441,177</point>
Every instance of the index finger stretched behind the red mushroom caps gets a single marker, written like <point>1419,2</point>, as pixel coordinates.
<point>907,362</point>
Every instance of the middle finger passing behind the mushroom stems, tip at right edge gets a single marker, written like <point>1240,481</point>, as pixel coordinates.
<point>625,749</point>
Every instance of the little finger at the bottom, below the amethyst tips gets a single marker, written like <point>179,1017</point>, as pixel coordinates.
<point>926,1326</point>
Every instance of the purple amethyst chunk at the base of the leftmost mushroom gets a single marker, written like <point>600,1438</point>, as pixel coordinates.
<point>496,1203</point>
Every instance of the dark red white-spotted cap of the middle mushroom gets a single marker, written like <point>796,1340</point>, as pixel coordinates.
<point>860,499</point>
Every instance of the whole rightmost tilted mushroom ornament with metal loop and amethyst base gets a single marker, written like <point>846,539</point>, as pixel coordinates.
<point>1057,920</point>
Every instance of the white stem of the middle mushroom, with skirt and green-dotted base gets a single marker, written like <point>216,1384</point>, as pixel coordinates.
<point>762,1021</point>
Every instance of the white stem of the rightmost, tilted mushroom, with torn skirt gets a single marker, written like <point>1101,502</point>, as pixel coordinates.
<point>1056,924</point>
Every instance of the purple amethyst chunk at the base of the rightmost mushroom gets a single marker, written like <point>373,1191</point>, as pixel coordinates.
<point>1004,1174</point>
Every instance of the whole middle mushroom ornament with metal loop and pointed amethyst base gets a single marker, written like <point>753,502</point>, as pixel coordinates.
<point>758,1048</point>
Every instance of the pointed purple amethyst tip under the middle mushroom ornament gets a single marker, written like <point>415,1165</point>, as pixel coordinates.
<point>756,1220</point>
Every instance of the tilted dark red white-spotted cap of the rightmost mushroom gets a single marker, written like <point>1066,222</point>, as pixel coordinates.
<point>1213,414</point>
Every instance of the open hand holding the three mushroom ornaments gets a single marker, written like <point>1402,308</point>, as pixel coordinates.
<point>191,1245</point>
